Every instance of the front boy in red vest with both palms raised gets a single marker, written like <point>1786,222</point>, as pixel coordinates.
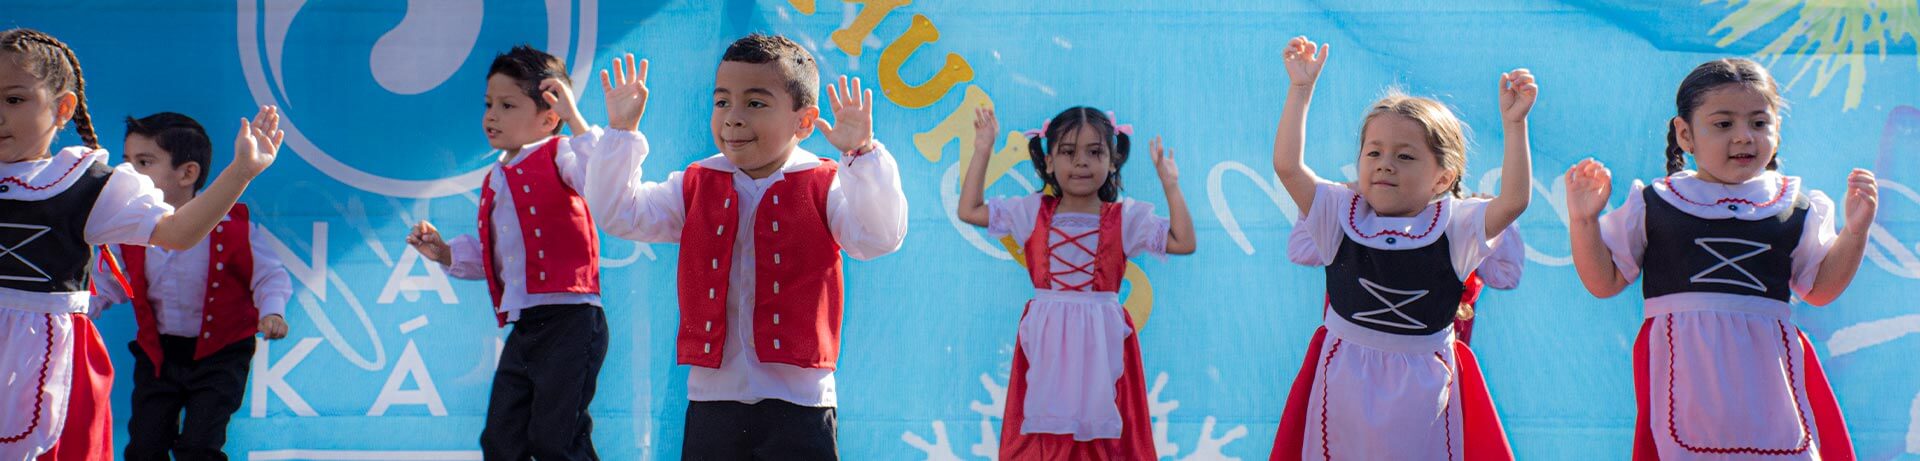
<point>761,231</point>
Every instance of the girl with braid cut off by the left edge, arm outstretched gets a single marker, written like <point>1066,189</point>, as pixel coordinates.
<point>55,210</point>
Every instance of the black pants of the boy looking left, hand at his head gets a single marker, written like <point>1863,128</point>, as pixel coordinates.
<point>544,385</point>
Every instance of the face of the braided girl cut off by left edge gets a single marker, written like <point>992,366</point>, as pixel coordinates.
<point>30,112</point>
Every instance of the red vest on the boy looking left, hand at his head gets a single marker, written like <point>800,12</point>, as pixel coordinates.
<point>562,247</point>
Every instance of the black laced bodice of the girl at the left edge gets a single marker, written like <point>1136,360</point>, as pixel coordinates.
<point>43,243</point>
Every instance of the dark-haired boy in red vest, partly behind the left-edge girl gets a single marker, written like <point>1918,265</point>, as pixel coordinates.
<point>199,308</point>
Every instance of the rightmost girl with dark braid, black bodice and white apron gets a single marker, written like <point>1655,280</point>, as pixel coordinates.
<point>1721,253</point>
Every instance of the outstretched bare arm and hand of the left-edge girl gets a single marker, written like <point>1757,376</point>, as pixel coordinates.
<point>254,151</point>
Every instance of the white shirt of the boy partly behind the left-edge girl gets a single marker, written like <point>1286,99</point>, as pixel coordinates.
<point>178,285</point>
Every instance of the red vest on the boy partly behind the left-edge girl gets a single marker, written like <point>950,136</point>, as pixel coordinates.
<point>229,314</point>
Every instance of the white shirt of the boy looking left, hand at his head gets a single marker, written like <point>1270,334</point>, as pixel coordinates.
<point>510,247</point>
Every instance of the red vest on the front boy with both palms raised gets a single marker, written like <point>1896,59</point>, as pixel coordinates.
<point>798,270</point>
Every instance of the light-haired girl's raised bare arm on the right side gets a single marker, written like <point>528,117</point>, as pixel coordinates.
<point>1518,95</point>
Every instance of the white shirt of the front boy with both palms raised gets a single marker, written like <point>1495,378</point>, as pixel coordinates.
<point>867,216</point>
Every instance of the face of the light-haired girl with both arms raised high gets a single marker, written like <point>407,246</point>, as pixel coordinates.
<point>1399,172</point>
